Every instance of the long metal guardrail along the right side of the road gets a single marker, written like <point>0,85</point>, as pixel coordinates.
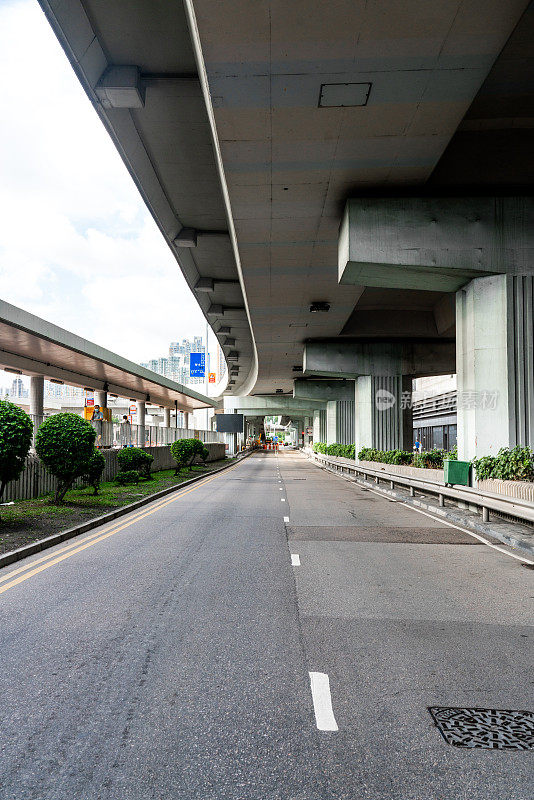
<point>484,502</point>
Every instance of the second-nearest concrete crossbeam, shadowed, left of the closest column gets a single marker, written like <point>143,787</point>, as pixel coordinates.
<point>349,359</point>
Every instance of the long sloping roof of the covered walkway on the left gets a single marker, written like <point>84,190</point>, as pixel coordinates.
<point>35,347</point>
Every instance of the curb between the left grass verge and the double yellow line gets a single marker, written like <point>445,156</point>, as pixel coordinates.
<point>70,533</point>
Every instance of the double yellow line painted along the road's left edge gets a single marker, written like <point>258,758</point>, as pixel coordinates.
<point>29,570</point>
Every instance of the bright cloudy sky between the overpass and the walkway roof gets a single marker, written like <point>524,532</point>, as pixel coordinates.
<point>77,245</point>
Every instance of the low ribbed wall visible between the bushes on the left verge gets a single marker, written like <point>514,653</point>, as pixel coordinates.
<point>35,480</point>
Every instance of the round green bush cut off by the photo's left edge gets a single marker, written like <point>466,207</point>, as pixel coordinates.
<point>16,431</point>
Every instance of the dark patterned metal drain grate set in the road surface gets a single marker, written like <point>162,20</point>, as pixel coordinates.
<point>485,728</point>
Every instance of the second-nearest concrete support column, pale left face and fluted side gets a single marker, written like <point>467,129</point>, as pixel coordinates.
<point>383,414</point>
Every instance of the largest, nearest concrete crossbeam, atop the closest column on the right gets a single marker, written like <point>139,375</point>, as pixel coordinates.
<point>434,243</point>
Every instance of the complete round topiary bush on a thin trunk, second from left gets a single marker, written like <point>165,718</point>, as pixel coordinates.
<point>65,445</point>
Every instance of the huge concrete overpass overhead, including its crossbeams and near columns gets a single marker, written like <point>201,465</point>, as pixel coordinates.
<point>355,172</point>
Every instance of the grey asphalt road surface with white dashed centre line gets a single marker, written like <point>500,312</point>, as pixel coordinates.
<point>168,655</point>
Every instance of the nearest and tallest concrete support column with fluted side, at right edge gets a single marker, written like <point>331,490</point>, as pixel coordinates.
<point>495,364</point>
